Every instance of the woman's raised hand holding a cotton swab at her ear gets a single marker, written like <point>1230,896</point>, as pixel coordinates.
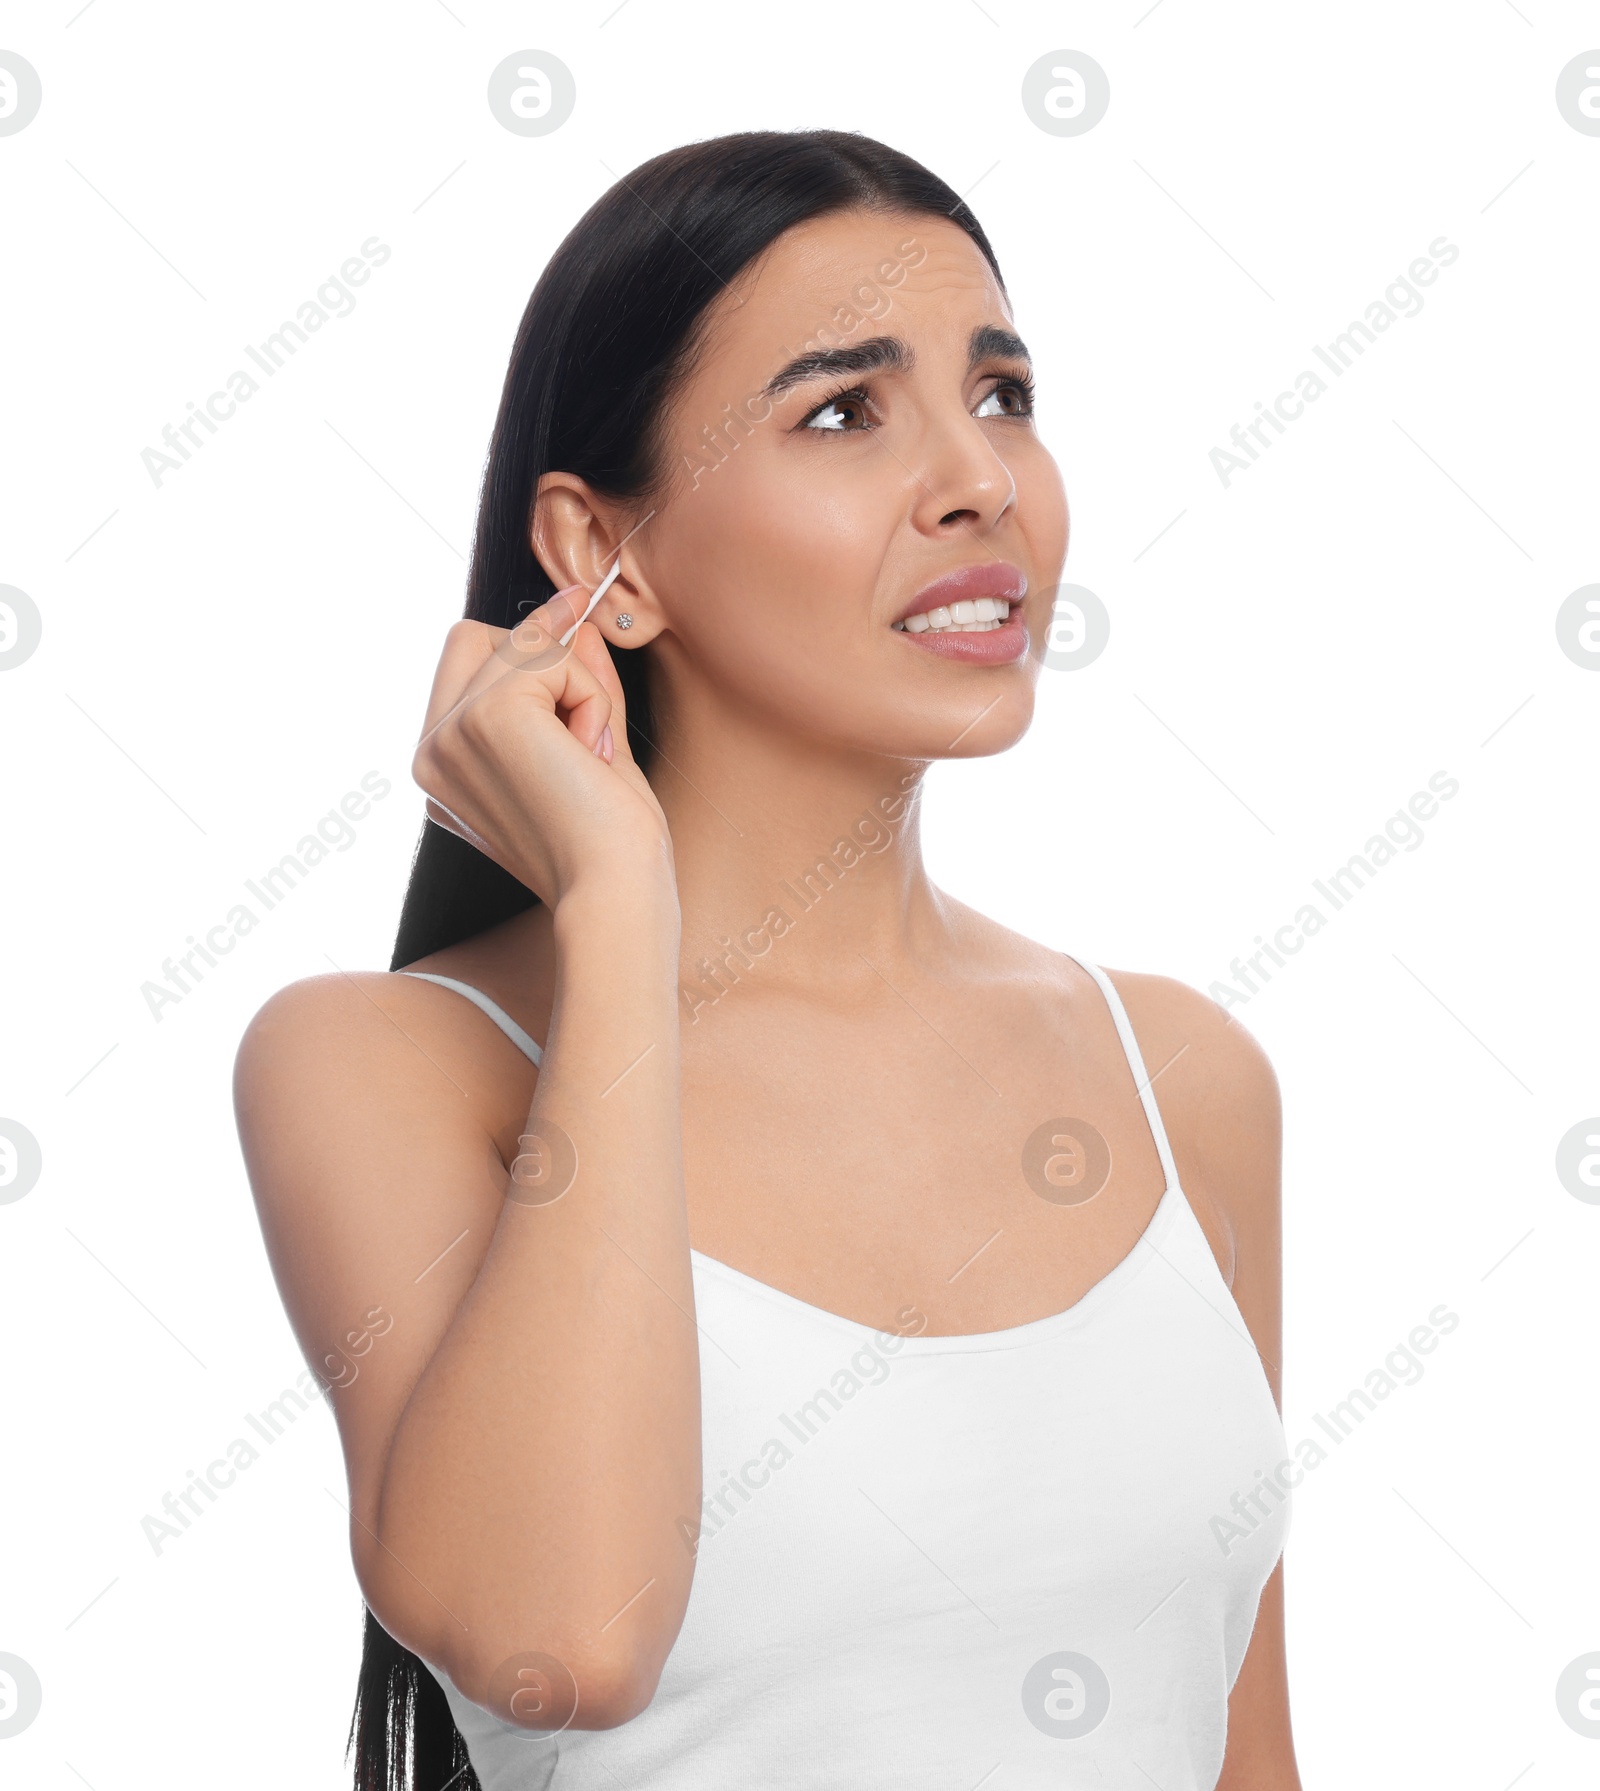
<point>526,755</point>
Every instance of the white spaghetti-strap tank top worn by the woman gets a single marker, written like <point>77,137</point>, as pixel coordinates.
<point>1004,1561</point>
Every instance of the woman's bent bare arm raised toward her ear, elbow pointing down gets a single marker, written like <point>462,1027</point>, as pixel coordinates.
<point>526,1437</point>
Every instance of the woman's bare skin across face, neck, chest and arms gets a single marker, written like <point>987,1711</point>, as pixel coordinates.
<point>843,1120</point>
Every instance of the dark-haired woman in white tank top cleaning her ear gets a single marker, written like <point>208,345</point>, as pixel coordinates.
<point>775,1332</point>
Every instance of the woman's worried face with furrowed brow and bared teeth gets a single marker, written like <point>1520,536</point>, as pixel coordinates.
<point>856,449</point>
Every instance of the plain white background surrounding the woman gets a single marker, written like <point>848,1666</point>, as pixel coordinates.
<point>1298,653</point>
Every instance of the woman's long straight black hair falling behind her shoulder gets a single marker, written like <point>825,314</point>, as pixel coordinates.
<point>605,341</point>
